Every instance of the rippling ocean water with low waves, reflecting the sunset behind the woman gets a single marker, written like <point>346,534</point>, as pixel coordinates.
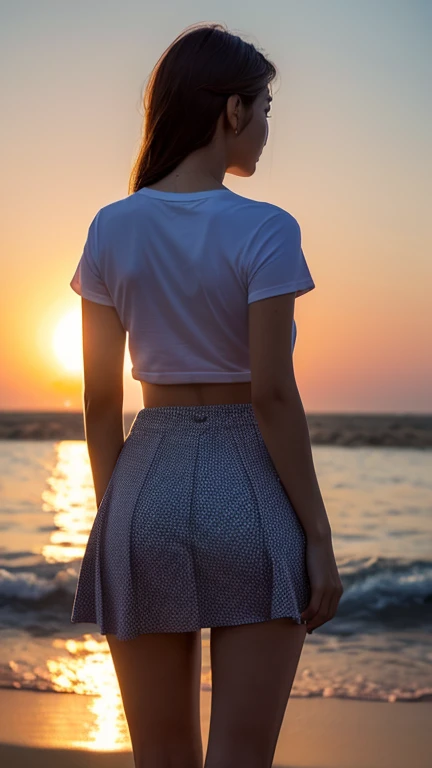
<point>378,647</point>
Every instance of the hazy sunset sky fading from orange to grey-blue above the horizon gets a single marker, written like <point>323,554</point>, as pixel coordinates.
<point>349,155</point>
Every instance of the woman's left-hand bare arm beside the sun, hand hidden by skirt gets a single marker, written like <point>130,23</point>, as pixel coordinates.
<point>104,341</point>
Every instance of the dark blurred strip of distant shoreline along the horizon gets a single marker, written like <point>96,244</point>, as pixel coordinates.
<point>386,430</point>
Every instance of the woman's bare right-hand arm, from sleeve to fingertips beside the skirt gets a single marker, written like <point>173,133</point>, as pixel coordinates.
<point>282,421</point>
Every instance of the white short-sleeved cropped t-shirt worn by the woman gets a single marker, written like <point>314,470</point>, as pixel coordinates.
<point>181,268</point>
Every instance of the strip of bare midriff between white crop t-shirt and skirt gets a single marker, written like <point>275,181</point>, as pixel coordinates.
<point>157,395</point>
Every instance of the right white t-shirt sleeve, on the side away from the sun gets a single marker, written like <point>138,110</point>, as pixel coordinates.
<point>277,263</point>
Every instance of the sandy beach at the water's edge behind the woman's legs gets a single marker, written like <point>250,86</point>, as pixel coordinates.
<point>40,729</point>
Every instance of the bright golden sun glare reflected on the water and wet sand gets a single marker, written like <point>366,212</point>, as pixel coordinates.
<point>84,664</point>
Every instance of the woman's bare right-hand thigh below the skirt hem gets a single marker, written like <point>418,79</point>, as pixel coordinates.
<point>253,669</point>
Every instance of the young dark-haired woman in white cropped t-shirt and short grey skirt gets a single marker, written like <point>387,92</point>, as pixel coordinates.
<point>209,513</point>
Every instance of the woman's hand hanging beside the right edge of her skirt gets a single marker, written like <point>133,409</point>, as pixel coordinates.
<point>326,586</point>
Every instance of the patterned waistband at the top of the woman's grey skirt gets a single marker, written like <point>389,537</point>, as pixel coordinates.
<point>190,416</point>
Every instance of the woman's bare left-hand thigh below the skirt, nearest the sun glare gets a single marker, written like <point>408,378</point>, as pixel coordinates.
<point>159,676</point>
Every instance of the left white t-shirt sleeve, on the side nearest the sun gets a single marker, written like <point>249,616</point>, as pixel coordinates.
<point>87,280</point>
